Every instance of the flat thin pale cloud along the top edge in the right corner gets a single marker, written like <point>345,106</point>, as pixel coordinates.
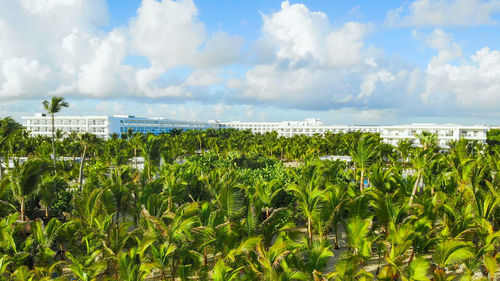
<point>444,13</point>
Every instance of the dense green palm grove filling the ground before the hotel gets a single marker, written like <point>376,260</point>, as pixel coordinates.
<point>231,205</point>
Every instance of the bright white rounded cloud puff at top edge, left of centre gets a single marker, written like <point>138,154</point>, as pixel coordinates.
<point>169,34</point>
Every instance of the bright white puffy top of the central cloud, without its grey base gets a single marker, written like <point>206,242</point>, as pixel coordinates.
<point>299,35</point>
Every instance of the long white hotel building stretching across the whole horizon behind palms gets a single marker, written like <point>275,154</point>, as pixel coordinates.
<point>105,126</point>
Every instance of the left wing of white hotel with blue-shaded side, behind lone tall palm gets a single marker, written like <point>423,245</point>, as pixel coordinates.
<point>105,126</point>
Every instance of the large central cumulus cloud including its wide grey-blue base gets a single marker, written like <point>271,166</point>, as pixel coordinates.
<point>316,66</point>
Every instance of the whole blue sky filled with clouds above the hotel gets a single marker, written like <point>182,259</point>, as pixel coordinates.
<point>345,62</point>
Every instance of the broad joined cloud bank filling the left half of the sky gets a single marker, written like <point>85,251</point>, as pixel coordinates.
<point>59,47</point>
